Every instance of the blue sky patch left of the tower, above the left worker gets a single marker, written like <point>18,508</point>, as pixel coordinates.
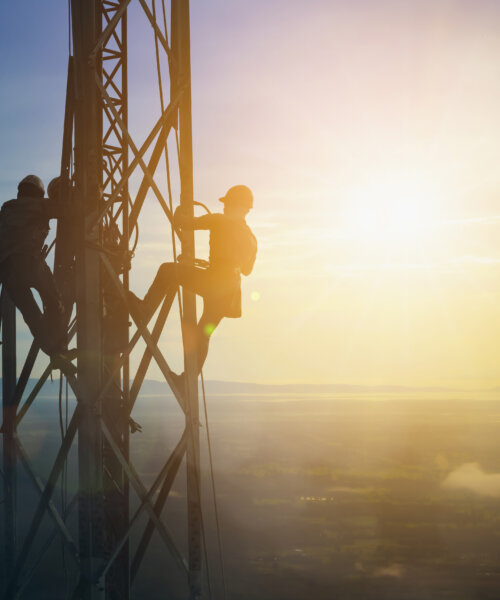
<point>33,51</point>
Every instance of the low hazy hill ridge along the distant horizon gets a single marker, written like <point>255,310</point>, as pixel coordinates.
<point>152,387</point>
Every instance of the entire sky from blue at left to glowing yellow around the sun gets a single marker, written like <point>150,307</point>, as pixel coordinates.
<point>368,132</point>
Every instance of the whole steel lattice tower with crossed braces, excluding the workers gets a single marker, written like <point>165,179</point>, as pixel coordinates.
<point>91,264</point>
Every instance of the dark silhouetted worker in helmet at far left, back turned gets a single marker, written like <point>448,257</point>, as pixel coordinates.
<point>24,225</point>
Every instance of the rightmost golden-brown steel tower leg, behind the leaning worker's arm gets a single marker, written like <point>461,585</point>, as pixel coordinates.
<point>181,47</point>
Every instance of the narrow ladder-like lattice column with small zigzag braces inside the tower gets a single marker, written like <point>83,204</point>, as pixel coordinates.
<point>115,314</point>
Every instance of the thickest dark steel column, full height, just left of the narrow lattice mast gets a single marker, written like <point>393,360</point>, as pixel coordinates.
<point>88,167</point>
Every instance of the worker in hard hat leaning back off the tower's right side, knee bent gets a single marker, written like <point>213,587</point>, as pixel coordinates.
<point>233,249</point>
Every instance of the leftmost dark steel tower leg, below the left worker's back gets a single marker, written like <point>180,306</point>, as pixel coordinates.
<point>8,311</point>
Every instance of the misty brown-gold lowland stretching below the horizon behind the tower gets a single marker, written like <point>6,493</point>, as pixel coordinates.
<point>345,495</point>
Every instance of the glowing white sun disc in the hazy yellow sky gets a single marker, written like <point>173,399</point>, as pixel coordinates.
<point>395,211</point>
